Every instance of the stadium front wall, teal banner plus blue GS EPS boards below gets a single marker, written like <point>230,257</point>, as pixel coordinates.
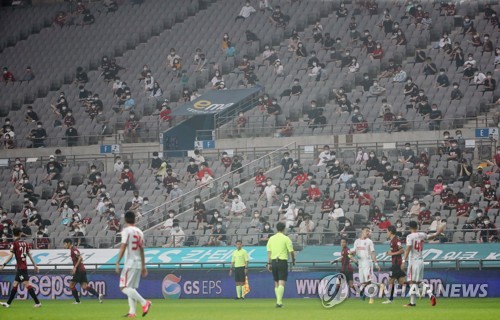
<point>202,272</point>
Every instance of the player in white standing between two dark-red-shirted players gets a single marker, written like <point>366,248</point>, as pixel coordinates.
<point>365,251</point>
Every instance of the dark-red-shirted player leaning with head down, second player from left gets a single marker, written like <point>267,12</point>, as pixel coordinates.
<point>79,273</point>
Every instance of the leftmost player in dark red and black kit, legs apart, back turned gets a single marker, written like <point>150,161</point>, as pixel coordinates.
<point>20,249</point>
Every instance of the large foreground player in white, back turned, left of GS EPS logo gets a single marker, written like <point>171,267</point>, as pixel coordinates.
<point>133,245</point>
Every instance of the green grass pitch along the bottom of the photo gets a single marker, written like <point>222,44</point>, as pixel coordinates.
<point>222,309</point>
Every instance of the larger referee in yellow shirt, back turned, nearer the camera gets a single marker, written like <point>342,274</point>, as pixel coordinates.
<point>278,248</point>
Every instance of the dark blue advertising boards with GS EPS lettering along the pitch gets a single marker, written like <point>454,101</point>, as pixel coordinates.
<point>196,284</point>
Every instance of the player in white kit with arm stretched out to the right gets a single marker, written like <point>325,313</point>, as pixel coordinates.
<point>414,255</point>
